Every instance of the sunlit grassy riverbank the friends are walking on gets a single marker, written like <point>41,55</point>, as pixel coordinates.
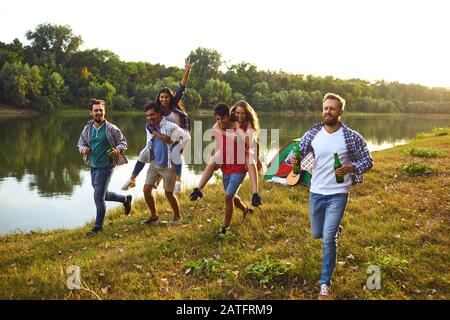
<point>395,220</point>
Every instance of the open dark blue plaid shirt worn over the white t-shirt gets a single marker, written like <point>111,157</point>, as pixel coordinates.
<point>358,153</point>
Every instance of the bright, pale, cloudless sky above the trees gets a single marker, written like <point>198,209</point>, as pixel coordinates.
<point>394,40</point>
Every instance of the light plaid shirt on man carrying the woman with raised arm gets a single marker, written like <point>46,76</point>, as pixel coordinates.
<point>177,134</point>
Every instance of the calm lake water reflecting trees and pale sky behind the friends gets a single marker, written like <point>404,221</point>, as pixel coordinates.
<point>44,183</point>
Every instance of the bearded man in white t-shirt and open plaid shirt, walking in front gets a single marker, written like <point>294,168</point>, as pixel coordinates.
<point>328,198</point>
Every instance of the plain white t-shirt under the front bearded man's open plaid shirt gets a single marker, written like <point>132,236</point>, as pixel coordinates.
<point>323,179</point>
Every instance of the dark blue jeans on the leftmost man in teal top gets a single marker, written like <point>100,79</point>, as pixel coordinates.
<point>100,178</point>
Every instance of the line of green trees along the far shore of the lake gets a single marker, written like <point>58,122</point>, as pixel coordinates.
<point>51,72</point>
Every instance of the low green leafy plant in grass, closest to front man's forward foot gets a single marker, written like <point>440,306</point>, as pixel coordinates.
<point>270,270</point>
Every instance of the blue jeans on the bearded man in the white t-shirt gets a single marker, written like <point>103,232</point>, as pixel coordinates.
<point>326,213</point>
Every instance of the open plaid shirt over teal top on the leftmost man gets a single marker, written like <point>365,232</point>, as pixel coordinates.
<point>115,139</point>
